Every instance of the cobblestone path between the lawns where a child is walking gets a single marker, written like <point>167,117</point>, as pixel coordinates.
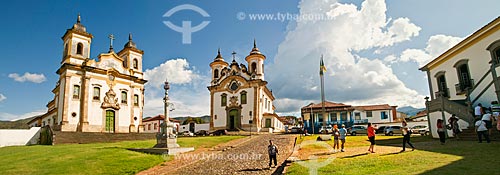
<point>247,157</point>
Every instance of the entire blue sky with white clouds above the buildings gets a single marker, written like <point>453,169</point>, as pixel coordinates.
<point>412,32</point>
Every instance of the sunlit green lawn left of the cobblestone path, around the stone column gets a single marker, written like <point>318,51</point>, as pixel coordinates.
<point>97,158</point>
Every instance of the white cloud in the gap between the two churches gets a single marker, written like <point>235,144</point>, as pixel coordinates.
<point>188,89</point>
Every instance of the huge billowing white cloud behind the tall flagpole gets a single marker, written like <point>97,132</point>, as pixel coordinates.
<point>350,78</point>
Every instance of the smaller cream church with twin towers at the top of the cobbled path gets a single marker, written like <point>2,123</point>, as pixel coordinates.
<point>239,97</point>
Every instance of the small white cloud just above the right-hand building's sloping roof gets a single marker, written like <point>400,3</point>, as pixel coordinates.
<point>436,45</point>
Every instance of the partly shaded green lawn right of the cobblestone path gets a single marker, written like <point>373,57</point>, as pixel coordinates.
<point>455,157</point>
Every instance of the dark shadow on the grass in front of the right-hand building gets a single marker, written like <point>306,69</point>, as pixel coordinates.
<point>475,158</point>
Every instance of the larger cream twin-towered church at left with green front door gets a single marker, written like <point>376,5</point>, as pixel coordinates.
<point>96,95</point>
